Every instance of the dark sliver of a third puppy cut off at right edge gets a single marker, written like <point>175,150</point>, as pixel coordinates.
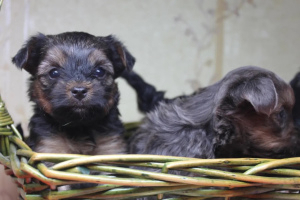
<point>295,83</point>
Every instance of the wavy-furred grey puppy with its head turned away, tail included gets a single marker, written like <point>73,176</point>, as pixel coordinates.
<point>246,114</point>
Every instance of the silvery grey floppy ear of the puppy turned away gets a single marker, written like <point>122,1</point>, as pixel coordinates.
<point>262,94</point>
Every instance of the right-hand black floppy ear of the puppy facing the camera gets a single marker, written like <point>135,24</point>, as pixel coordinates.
<point>119,55</point>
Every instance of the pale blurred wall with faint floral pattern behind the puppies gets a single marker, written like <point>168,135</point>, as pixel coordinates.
<point>179,45</point>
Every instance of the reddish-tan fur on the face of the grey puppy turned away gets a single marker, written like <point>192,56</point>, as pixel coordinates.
<point>263,133</point>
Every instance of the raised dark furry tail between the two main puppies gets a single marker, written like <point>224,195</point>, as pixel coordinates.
<point>147,95</point>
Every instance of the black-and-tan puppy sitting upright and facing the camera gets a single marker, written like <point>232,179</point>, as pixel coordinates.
<point>75,95</point>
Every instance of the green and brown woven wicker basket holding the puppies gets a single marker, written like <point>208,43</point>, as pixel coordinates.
<point>243,177</point>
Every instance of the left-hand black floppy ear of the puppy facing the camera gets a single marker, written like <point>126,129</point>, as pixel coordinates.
<point>29,56</point>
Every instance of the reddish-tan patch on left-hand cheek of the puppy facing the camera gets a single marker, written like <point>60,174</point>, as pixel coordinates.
<point>38,94</point>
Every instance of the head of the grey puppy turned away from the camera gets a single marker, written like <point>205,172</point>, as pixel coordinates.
<point>258,104</point>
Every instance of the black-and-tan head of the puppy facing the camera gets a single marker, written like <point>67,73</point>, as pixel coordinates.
<point>73,73</point>
